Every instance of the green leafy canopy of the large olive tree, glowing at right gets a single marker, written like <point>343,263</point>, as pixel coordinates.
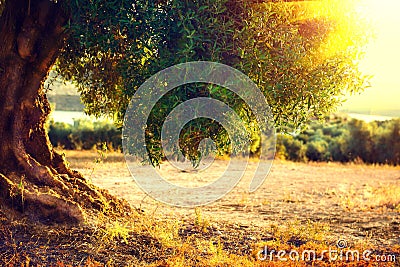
<point>302,55</point>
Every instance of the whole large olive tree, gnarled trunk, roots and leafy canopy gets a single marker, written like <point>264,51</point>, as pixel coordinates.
<point>109,48</point>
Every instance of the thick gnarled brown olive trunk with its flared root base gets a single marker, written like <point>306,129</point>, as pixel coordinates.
<point>34,179</point>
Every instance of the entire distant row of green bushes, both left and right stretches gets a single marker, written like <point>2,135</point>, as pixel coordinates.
<point>337,139</point>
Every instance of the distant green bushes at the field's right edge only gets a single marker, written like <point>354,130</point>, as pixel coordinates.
<point>344,140</point>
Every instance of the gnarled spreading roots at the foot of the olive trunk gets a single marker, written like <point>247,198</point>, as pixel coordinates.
<point>54,205</point>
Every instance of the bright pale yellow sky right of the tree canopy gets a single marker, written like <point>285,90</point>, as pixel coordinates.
<point>382,60</point>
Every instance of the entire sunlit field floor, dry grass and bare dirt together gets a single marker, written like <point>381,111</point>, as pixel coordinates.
<point>300,207</point>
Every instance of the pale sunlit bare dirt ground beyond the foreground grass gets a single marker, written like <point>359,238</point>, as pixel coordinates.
<point>357,202</point>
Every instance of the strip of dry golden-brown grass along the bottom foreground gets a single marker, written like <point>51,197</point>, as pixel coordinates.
<point>146,241</point>
